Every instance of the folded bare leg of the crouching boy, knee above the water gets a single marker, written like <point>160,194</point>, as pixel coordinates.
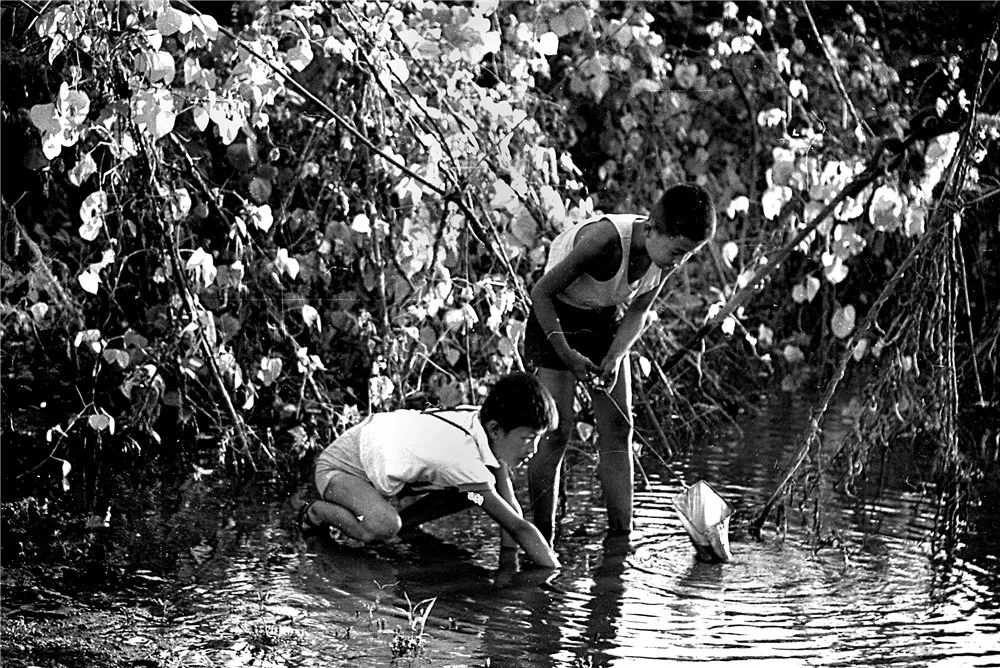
<point>354,506</point>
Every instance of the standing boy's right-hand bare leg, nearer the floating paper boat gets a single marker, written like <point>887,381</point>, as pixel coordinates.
<point>613,417</point>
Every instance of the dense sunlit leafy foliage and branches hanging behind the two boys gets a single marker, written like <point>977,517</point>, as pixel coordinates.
<point>255,234</point>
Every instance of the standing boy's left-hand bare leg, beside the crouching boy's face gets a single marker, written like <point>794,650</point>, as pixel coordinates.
<point>543,468</point>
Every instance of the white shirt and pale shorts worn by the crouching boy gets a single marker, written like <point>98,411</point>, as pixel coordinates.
<point>407,447</point>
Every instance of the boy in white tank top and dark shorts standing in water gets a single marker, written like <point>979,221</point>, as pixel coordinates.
<point>573,333</point>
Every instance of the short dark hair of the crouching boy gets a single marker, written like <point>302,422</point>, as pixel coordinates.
<point>520,400</point>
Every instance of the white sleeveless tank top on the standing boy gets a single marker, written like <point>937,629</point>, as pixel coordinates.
<point>587,292</point>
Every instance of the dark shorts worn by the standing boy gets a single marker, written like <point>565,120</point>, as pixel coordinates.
<point>587,331</point>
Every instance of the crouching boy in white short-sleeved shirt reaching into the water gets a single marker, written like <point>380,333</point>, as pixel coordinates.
<point>469,452</point>
